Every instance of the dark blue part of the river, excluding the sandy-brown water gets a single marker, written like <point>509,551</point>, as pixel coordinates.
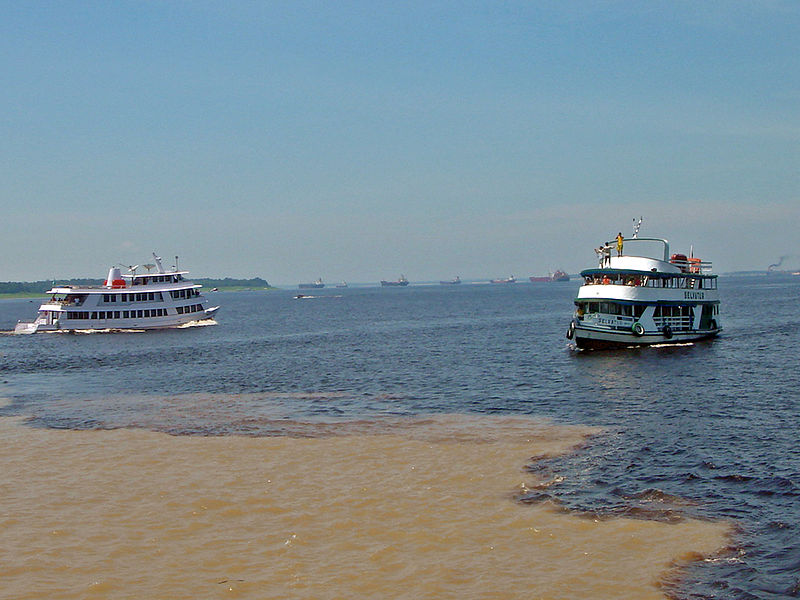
<point>706,430</point>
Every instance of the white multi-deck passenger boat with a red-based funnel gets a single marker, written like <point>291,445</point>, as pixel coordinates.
<point>157,300</point>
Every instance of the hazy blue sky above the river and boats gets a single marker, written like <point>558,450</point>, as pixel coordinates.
<point>357,141</point>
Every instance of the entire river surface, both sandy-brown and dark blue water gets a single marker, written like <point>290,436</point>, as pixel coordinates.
<point>429,441</point>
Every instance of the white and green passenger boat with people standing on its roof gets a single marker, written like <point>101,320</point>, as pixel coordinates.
<point>638,299</point>
